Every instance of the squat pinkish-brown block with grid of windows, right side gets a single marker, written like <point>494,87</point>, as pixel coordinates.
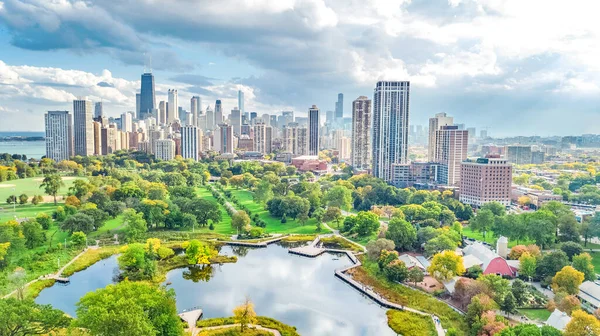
<point>485,180</point>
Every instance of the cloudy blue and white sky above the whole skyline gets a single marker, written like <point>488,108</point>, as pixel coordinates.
<point>513,67</point>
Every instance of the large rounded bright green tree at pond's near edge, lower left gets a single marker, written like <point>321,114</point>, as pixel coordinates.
<point>130,308</point>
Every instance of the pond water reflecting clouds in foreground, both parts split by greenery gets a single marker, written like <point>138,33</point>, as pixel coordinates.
<point>298,291</point>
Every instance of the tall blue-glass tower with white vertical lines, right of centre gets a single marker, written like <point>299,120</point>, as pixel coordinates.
<point>390,127</point>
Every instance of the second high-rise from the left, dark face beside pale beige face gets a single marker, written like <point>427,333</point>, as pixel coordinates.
<point>83,130</point>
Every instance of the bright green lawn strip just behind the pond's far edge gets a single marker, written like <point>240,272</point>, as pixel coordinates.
<point>274,224</point>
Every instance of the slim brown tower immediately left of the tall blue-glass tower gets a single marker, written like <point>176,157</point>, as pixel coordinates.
<point>361,133</point>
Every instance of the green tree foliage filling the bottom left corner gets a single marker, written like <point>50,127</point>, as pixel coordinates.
<point>25,317</point>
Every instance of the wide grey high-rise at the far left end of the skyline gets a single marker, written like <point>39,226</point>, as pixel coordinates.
<point>59,137</point>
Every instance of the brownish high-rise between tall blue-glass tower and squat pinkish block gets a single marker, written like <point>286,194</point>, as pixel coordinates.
<point>451,150</point>
